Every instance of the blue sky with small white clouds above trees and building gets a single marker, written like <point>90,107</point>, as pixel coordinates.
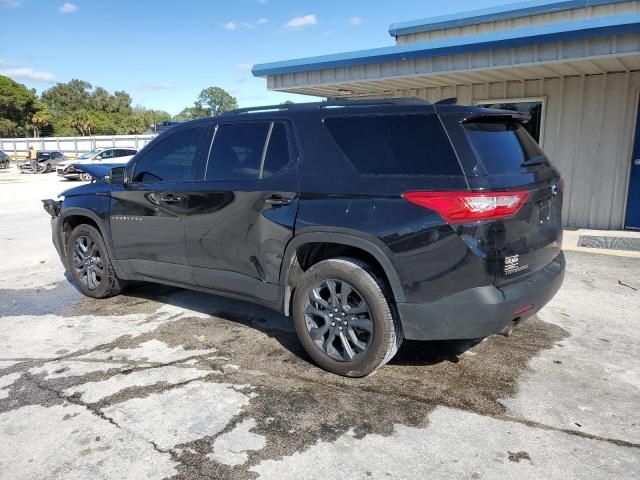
<point>163,52</point>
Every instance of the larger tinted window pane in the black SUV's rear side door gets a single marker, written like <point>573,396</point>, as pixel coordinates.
<point>237,151</point>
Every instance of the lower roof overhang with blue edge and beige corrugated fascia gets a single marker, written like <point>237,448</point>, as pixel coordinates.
<point>597,46</point>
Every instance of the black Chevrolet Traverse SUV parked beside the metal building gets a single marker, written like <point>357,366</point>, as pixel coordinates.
<point>366,221</point>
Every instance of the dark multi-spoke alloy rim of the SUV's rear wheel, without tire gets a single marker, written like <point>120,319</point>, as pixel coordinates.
<point>338,320</point>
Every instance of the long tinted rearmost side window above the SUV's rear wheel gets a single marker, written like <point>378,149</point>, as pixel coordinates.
<point>395,144</point>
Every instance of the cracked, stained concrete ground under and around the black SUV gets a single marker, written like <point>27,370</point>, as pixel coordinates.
<point>166,383</point>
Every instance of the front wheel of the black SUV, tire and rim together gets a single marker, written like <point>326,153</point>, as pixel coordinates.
<point>108,285</point>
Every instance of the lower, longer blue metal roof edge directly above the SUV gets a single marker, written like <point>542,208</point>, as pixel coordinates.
<point>576,30</point>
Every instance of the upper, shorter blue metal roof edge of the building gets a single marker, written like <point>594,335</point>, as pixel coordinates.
<point>503,12</point>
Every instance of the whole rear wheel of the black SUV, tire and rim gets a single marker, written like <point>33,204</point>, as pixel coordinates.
<point>344,319</point>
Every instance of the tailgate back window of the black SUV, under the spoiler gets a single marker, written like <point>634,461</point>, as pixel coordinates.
<point>503,147</point>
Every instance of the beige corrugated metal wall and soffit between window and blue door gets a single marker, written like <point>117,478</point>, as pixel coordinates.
<point>588,133</point>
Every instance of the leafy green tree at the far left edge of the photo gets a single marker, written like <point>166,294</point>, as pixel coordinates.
<point>17,105</point>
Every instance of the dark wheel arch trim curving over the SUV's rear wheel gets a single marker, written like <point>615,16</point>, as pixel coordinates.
<point>291,268</point>
